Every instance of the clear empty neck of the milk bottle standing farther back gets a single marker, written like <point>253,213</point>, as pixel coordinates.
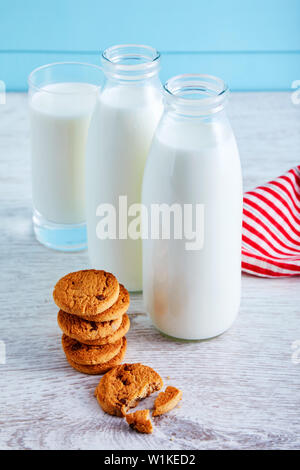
<point>131,63</point>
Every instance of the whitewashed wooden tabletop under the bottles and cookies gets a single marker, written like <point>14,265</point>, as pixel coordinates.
<point>241,390</point>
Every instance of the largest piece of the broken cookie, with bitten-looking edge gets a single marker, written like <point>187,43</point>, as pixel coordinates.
<point>124,386</point>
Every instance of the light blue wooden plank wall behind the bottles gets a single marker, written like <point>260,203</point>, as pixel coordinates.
<point>253,45</point>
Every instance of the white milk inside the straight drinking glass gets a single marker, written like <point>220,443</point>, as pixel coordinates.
<point>60,116</point>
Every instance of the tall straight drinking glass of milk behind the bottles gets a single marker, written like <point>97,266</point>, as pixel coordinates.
<point>62,97</point>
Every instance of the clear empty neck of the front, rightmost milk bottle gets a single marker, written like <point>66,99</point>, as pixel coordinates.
<point>196,95</point>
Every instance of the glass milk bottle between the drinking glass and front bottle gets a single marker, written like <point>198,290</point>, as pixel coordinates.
<point>125,118</point>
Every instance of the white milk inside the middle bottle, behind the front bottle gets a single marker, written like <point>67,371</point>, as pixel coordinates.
<point>119,139</point>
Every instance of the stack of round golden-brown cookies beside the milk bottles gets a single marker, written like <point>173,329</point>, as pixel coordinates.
<point>93,319</point>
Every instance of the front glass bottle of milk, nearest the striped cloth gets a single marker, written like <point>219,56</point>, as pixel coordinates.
<point>192,273</point>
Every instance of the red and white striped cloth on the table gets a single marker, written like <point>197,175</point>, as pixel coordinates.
<point>271,228</point>
